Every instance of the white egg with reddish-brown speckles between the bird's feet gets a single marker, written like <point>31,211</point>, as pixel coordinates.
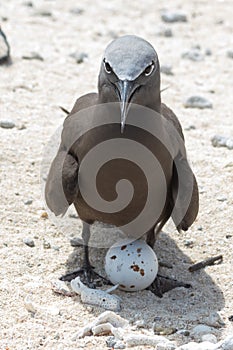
<point>132,265</point>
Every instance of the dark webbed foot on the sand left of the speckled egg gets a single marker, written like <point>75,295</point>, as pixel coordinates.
<point>87,275</point>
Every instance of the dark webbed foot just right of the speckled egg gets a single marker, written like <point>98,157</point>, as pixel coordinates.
<point>163,284</point>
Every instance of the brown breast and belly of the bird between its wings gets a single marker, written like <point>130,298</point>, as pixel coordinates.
<point>122,174</point>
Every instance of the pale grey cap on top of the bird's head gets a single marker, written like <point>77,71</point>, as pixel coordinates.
<point>129,55</point>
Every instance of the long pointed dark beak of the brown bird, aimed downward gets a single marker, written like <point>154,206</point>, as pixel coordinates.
<point>126,90</point>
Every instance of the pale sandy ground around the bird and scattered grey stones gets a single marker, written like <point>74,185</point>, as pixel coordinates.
<point>30,93</point>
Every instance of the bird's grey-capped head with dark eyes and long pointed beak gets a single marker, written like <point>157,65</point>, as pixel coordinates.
<point>130,73</point>
